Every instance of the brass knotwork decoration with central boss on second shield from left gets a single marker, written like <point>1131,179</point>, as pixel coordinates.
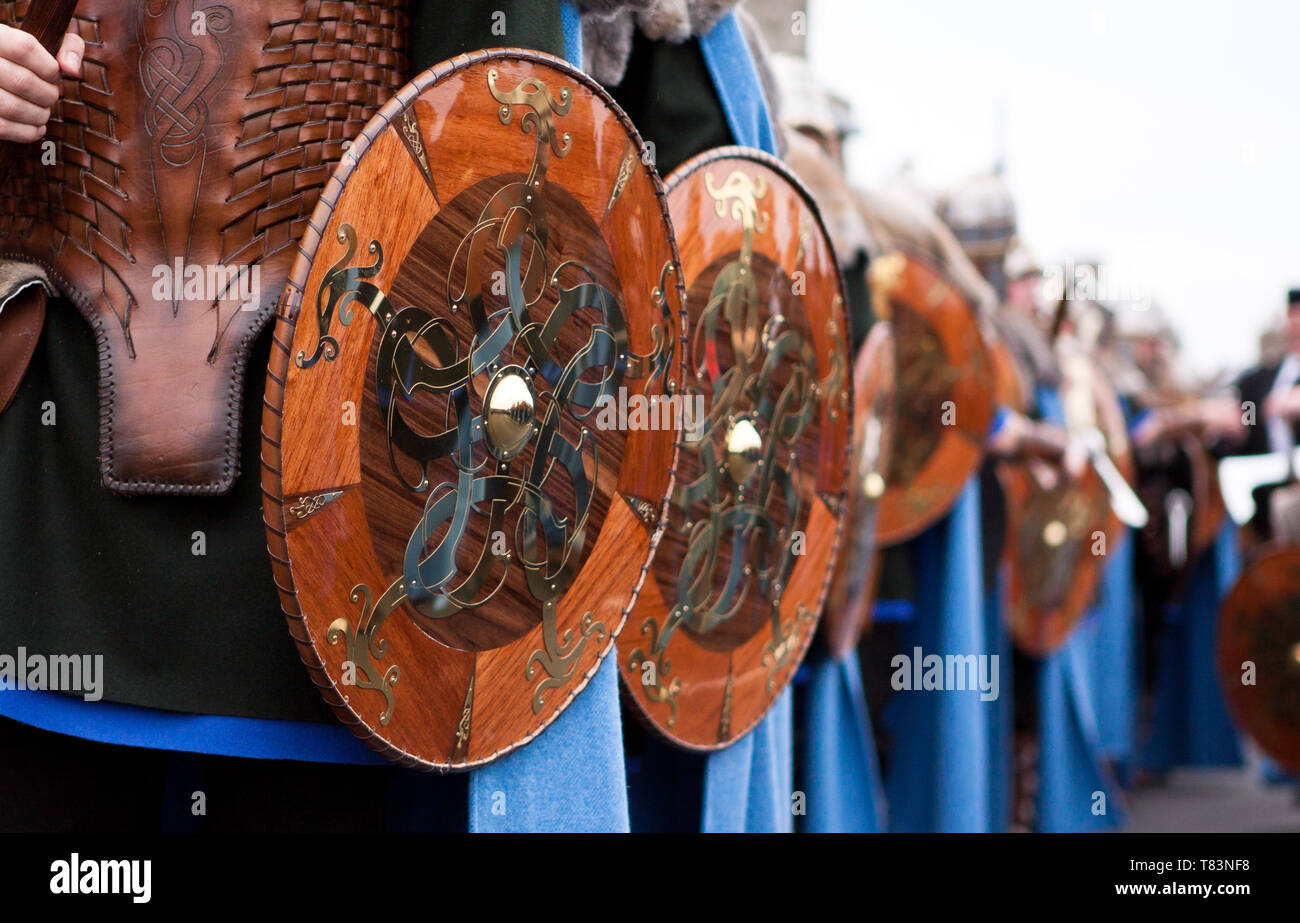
<point>743,514</point>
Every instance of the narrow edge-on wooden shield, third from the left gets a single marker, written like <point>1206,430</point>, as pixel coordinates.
<point>848,612</point>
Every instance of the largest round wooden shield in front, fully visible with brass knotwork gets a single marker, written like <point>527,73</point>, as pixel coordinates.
<point>458,523</point>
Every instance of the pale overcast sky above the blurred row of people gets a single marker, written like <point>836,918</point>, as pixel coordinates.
<point>1162,137</point>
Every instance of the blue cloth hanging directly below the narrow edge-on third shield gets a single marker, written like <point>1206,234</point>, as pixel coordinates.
<point>842,774</point>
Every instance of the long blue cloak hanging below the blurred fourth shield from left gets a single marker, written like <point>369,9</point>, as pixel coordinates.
<point>939,775</point>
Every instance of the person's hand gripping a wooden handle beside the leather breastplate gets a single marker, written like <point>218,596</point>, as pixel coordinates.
<point>29,81</point>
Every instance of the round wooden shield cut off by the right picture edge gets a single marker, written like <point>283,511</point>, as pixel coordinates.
<point>1259,655</point>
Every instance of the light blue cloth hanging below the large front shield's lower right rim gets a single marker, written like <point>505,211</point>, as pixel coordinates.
<point>570,779</point>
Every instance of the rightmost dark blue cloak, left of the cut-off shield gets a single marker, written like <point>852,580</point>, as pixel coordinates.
<point>1191,726</point>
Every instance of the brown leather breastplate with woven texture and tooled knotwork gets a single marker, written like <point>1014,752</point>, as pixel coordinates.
<point>210,149</point>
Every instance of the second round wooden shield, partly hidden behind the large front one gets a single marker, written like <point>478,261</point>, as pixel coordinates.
<point>756,518</point>
